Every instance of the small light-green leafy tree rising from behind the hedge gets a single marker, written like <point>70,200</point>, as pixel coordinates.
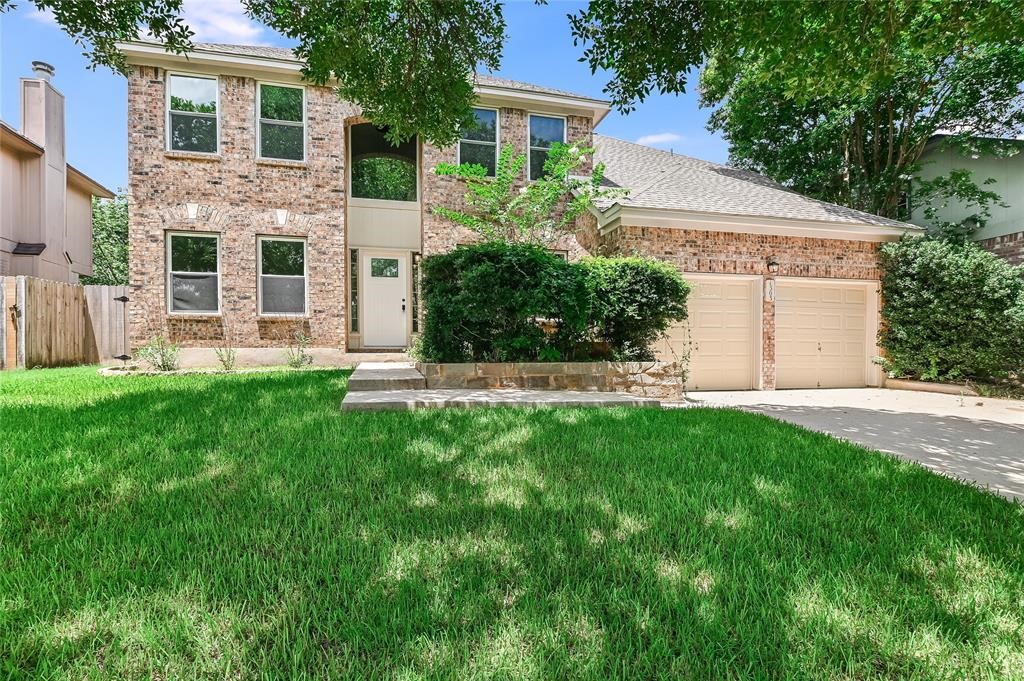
<point>502,208</point>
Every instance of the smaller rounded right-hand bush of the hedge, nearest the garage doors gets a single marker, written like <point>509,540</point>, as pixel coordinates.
<point>634,302</point>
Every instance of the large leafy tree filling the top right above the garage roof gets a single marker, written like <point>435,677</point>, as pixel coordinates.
<point>836,100</point>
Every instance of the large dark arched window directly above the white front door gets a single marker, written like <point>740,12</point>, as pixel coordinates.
<point>381,171</point>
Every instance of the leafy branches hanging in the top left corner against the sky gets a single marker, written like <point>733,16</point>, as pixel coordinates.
<point>99,26</point>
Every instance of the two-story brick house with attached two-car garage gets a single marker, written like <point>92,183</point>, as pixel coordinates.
<point>262,206</point>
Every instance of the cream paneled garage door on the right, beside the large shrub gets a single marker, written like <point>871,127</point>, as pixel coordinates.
<point>822,334</point>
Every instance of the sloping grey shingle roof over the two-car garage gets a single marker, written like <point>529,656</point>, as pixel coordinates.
<point>659,180</point>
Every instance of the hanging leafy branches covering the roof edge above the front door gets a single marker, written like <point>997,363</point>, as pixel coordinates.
<point>409,64</point>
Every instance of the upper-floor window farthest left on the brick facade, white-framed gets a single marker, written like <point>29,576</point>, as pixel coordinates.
<point>192,114</point>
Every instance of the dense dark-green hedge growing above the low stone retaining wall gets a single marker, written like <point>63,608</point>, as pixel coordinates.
<point>515,303</point>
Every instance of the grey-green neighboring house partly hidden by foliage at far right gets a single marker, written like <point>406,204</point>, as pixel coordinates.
<point>1003,234</point>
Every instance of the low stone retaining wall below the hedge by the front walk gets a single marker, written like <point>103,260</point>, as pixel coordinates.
<point>652,379</point>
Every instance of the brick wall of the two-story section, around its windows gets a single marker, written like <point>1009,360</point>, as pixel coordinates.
<point>239,197</point>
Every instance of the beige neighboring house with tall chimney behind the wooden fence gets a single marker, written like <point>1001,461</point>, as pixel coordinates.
<point>47,204</point>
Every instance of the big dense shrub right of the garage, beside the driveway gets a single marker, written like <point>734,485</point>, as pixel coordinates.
<point>952,311</point>
